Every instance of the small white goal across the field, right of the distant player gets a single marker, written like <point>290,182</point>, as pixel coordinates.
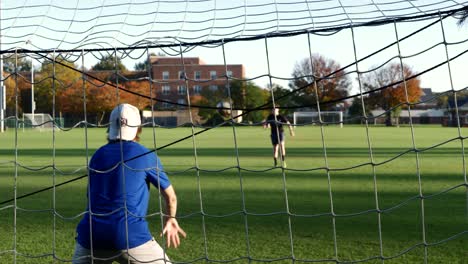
<point>326,117</point>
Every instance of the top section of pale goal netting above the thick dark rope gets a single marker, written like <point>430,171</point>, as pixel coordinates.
<point>78,24</point>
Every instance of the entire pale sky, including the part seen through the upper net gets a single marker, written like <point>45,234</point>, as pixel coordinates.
<point>49,24</point>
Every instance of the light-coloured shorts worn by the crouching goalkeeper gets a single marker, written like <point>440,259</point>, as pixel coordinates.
<point>149,252</point>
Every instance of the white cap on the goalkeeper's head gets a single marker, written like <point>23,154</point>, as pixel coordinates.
<point>124,122</point>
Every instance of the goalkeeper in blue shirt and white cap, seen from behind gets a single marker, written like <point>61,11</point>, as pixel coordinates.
<point>114,227</point>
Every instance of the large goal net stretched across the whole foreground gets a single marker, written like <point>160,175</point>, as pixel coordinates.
<point>356,194</point>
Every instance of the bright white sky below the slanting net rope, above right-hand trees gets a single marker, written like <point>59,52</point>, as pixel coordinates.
<point>421,52</point>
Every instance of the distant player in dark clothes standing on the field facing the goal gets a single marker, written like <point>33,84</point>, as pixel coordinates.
<point>275,122</point>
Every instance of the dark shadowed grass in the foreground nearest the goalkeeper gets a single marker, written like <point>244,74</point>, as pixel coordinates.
<point>223,228</point>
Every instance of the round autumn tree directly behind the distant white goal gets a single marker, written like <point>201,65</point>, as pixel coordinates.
<point>334,85</point>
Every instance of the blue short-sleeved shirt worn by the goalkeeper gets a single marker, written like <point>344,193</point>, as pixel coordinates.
<point>115,185</point>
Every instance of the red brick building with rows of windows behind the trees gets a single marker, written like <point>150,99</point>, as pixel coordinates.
<point>170,84</point>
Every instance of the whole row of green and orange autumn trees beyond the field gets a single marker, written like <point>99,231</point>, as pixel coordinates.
<point>315,82</point>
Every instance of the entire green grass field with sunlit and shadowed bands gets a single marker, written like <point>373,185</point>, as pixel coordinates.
<point>232,214</point>
